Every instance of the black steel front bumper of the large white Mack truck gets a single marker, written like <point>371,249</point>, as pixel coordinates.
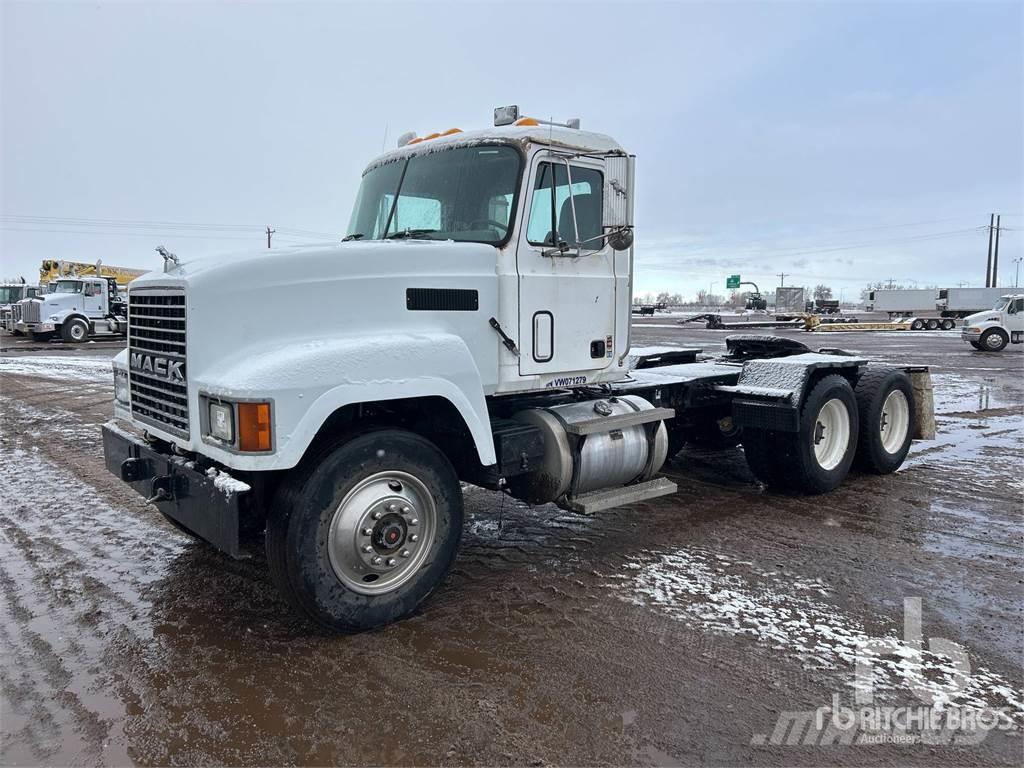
<point>208,509</point>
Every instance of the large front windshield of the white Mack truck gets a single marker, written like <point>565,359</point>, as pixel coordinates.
<point>465,194</point>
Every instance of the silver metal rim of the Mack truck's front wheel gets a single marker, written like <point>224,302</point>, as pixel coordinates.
<point>381,533</point>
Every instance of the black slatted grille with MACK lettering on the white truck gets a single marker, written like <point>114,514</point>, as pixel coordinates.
<point>157,343</point>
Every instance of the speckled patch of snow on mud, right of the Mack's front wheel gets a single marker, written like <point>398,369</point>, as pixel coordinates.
<point>715,594</point>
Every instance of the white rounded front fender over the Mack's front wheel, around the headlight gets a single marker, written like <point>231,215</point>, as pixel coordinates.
<point>309,381</point>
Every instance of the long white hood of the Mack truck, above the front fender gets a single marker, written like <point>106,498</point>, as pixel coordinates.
<point>244,305</point>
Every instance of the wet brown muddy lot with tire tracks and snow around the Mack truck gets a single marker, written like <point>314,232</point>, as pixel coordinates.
<point>679,631</point>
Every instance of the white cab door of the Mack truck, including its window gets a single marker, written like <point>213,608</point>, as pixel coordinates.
<point>567,270</point>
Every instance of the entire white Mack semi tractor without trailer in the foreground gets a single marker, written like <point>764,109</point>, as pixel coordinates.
<point>473,326</point>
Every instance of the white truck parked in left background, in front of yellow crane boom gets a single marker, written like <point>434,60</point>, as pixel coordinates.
<point>75,310</point>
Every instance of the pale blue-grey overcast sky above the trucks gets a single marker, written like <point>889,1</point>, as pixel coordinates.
<point>837,143</point>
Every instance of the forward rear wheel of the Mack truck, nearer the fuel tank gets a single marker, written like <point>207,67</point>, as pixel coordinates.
<point>818,458</point>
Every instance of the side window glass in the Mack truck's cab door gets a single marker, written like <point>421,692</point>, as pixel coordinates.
<point>551,220</point>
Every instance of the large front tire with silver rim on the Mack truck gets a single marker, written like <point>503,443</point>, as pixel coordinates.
<point>363,535</point>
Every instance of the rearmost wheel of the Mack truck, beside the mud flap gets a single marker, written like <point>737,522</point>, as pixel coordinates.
<point>886,408</point>
